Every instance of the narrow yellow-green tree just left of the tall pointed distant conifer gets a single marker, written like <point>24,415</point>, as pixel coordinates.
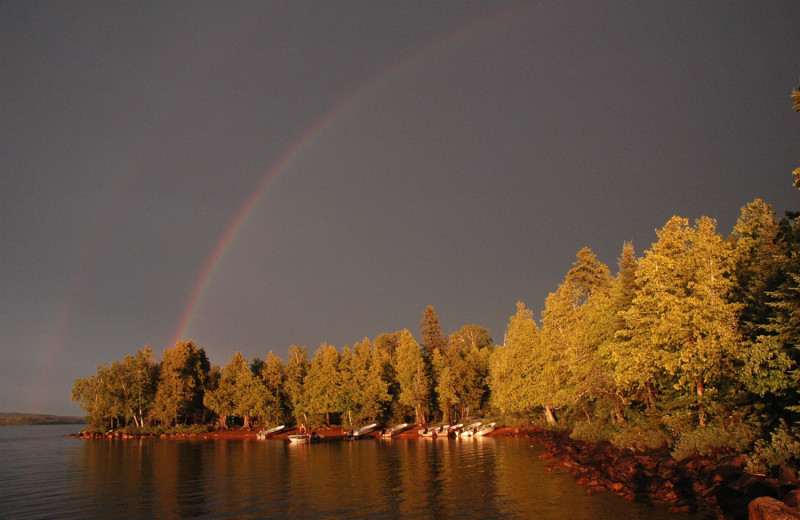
<point>412,376</point>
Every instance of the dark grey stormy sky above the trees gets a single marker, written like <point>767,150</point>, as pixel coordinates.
<point>393,155</point>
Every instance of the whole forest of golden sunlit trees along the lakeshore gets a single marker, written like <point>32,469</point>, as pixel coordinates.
<point>694,346</point>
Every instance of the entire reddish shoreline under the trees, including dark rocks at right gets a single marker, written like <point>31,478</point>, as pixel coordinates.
<point>718,485</point>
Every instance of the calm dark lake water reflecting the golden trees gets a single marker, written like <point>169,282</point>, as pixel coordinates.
<point>44,475</point>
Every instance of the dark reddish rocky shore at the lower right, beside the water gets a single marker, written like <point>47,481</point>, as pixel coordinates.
<point>719,486</point>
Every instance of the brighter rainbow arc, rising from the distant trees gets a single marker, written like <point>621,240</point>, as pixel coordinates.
<point>223,245</point>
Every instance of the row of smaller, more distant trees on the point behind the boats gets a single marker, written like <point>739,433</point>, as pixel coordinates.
<point>390,378</point>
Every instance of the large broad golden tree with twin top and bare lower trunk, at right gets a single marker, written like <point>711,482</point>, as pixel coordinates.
<point>682,327</point>
